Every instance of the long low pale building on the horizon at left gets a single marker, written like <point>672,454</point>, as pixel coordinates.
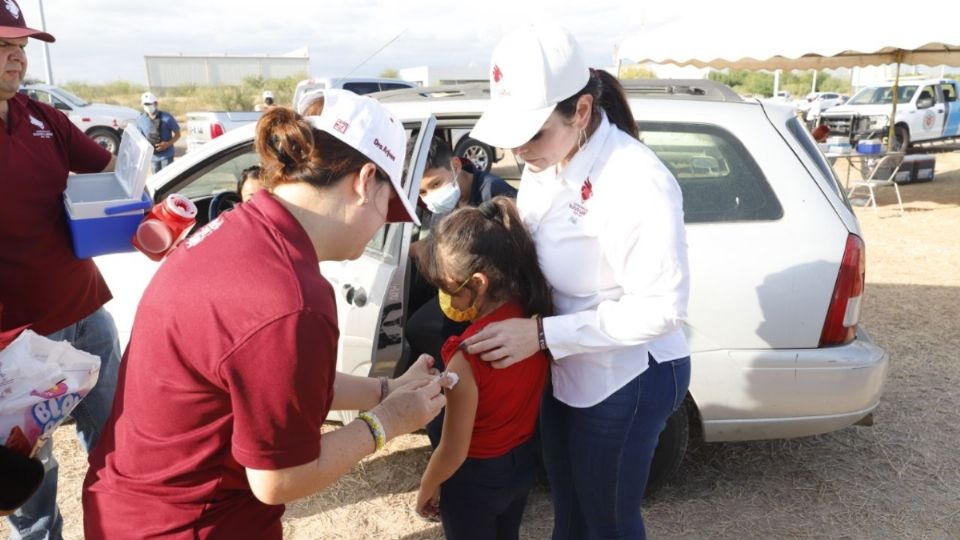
<point>171,70</point>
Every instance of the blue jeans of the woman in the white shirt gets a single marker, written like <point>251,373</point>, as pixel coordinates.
<point>598,458</point>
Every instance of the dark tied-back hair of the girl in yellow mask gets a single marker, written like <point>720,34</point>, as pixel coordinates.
<point>490,239</point>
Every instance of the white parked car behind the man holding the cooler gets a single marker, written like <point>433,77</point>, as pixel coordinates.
<point>103,123</point>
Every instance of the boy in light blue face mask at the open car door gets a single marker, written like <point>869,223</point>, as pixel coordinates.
<point>450,182</point>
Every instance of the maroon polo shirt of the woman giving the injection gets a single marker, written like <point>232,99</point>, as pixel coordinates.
<point>231,364</point>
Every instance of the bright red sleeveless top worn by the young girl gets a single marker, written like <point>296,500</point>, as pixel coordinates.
<point>508,399</point>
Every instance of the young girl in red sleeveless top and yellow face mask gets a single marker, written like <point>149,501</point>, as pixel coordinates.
<point>485,265</point>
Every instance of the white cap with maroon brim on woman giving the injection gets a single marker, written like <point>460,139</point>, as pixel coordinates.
<point>365,125</point>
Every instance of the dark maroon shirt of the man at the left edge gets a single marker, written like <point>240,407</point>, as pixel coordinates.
<point>42,283</point>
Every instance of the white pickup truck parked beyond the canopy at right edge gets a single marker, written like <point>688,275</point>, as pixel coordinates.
<point>927,110</point>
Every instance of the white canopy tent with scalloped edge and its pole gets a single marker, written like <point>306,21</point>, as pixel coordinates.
<point>846,35</point>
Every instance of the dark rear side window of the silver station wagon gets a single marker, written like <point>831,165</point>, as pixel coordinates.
<point>719,179</point>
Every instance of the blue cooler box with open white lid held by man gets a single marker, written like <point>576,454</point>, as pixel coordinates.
<point>104,209</point>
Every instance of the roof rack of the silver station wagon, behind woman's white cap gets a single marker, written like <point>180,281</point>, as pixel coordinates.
<point>699,89</point>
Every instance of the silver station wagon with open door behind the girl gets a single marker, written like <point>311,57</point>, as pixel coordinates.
<point>775,252</point>
